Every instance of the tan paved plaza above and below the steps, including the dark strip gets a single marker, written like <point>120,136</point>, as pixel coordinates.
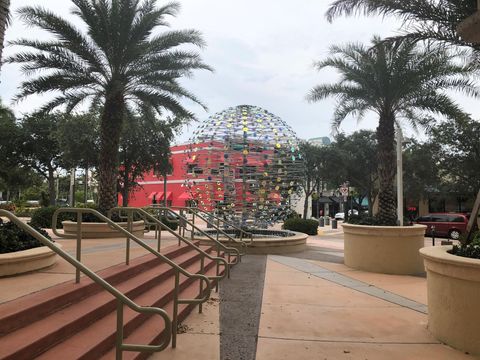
<point>310,306</point>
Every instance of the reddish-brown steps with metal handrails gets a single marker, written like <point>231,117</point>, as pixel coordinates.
<point>78,321</point>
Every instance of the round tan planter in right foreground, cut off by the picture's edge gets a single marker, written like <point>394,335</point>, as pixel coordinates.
<point>453,284</point>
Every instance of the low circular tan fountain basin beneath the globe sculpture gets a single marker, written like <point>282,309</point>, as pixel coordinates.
<point>264,241</point>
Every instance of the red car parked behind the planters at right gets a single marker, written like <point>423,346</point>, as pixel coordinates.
<point>451,225</point>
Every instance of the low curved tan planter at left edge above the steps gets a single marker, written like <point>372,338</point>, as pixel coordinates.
<point>20,262</point>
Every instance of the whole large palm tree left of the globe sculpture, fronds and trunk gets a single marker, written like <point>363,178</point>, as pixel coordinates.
<point>121,62</point>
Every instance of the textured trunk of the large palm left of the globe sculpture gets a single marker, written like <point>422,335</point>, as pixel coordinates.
<point>110,130</point>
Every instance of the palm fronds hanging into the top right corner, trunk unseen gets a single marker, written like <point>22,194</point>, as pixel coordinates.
<point>423,19</point>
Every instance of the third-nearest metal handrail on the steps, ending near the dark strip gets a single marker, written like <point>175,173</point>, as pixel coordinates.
<point>156,221</point>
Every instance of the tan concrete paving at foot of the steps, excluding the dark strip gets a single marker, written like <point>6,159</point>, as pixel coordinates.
<point>315,309</point>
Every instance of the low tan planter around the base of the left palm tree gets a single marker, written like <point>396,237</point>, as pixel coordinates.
<point>101,230</point>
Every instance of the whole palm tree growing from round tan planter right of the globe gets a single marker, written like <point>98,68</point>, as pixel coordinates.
<point>397,81</point>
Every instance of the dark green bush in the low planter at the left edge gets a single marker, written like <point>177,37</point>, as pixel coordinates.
<point>12,238</point>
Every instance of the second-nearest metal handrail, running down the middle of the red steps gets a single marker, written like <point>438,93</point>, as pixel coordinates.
<point>129,235</point>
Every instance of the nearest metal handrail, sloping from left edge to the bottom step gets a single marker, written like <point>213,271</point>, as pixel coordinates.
<point>121,298</point>
